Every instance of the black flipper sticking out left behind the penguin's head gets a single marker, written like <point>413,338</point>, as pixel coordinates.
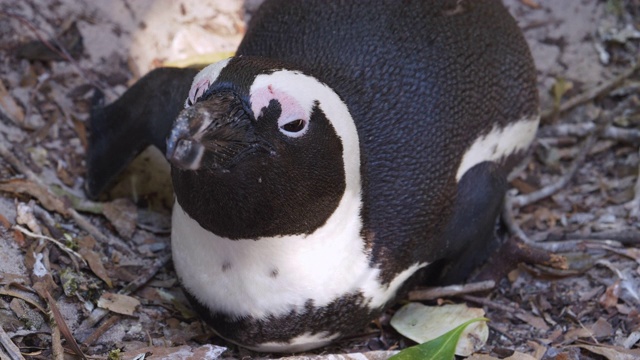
<point>142,116</point>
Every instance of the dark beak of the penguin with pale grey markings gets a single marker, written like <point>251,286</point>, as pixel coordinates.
<point>214,133</point>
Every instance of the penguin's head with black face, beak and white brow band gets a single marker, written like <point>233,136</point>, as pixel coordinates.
<point>262,150</point>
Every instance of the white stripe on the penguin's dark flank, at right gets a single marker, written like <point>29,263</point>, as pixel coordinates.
<point>499,143</point>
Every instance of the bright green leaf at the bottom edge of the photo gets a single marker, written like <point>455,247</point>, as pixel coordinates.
<point>440,348</point>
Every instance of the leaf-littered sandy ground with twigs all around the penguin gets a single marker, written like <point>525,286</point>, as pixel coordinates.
<point>585,304</point>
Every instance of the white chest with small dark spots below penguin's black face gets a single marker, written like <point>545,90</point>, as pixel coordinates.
<point>273,276</point>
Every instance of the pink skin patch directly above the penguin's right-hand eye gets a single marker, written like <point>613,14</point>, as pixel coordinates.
<point>291,108</point>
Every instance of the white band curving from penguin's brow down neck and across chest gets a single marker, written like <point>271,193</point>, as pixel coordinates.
<point>236,276</point>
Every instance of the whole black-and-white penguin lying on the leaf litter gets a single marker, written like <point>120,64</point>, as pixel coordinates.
<point>347,149</point>
